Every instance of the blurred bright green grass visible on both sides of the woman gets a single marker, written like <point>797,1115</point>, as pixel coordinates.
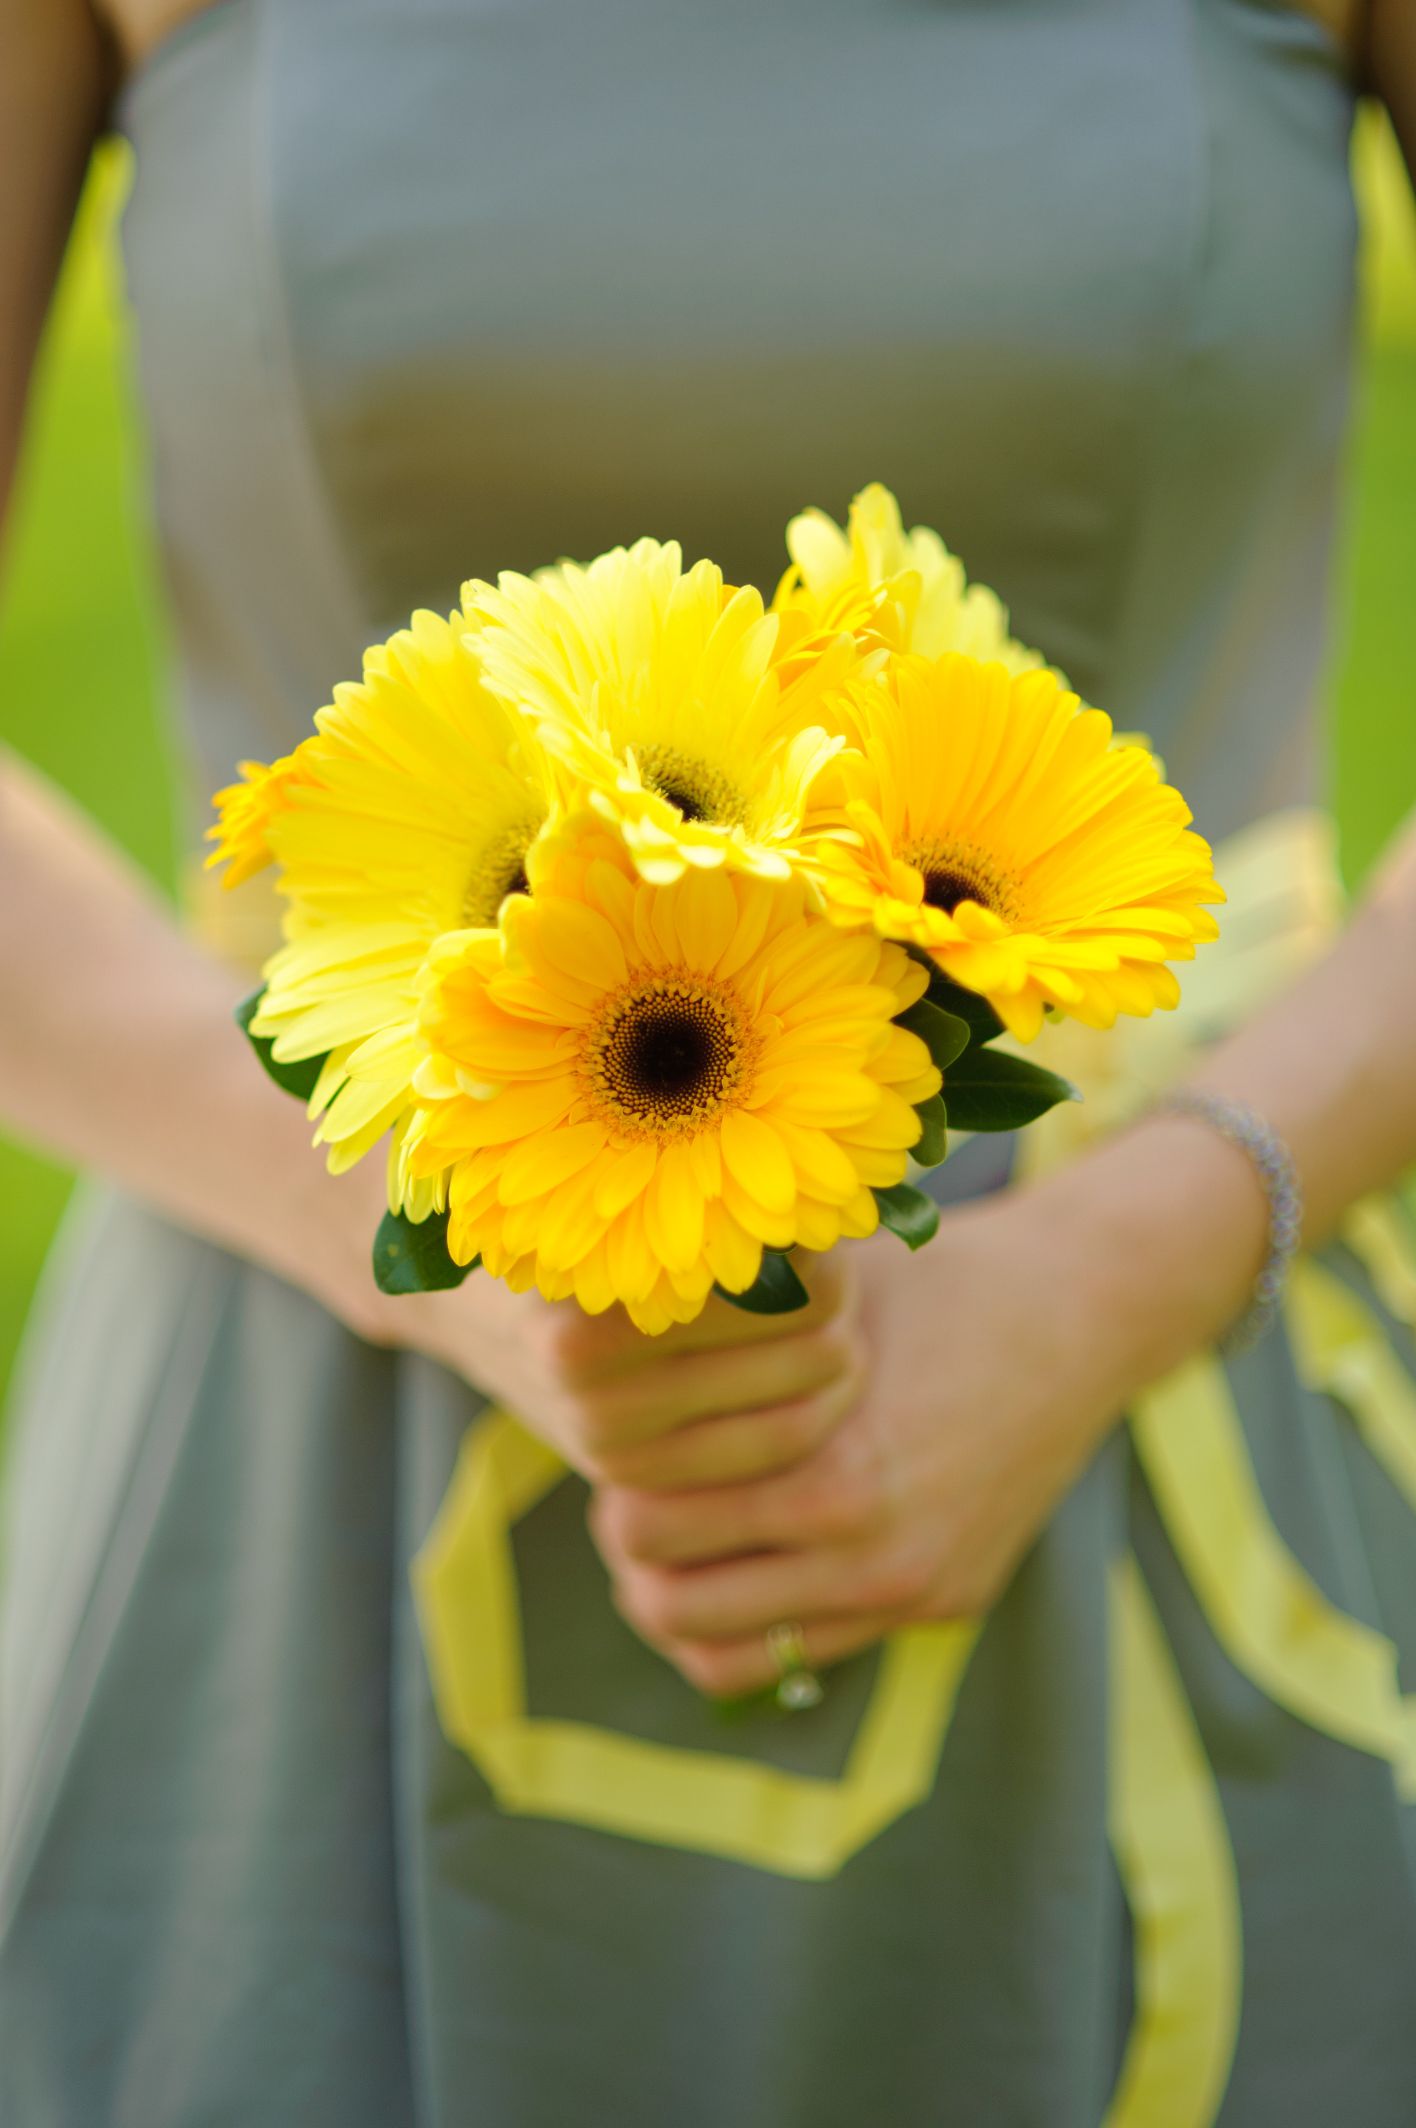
<point>82,656</point>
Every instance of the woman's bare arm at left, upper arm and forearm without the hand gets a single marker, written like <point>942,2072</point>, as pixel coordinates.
<point>118,1048</point>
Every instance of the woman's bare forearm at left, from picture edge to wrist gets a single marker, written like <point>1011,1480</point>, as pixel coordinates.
<point>118,1052</point>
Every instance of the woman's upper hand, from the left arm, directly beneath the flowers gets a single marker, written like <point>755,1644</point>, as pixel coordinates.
<point>725,1399</point>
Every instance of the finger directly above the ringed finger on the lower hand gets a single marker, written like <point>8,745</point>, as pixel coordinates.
<point>736,1599</point>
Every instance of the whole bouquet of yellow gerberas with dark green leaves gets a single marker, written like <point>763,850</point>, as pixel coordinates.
<point>659,929</point>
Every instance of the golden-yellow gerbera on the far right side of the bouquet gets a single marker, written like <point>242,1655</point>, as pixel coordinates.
<point>995,825</point>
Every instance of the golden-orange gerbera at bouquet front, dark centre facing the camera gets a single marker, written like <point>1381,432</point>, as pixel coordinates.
<point>644,1086</point>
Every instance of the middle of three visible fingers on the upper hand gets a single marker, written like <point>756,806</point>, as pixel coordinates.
<point>727,1382</point>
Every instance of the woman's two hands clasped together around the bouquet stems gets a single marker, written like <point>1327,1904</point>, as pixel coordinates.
<point>883,1459</point>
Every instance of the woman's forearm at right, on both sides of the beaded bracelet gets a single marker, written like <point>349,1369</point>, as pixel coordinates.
<point>1170,1218</point>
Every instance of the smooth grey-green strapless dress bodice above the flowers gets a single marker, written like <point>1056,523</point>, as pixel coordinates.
<point>427,288</point>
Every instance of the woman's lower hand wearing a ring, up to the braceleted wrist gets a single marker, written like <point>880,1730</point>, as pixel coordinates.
<point>998,1361</point>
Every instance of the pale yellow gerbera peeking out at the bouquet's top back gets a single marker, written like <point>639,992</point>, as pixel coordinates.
<point>887,586</point>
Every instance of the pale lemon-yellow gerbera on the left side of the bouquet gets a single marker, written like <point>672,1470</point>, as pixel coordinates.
<point>406,816</point>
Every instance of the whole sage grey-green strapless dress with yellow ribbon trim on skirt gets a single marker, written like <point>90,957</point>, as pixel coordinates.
<point>427,288</point>
